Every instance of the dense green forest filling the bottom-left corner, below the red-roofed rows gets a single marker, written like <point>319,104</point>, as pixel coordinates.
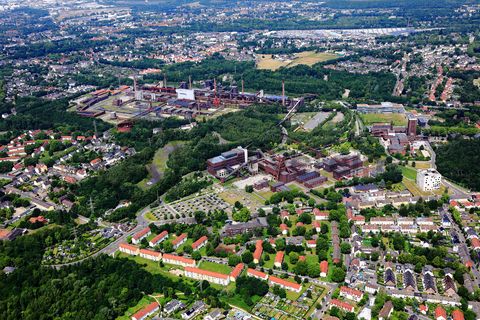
<point>100,288</point>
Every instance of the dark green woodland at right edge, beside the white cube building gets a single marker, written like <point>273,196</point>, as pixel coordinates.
<point>458,160</point>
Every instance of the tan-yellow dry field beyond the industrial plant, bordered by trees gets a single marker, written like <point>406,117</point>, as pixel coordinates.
<point>309,58</point>
